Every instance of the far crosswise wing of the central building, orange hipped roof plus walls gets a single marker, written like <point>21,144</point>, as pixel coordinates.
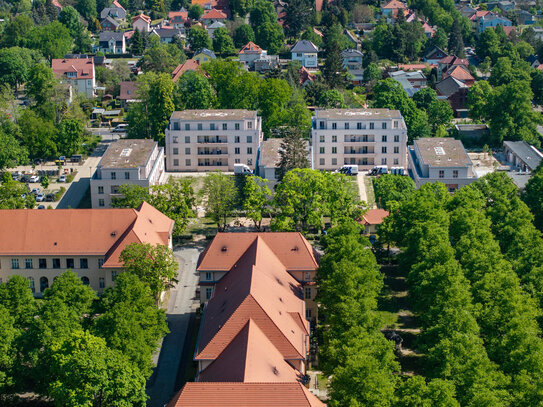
<point>290,249</point>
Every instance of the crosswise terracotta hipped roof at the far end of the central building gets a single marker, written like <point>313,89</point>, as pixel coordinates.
<point>291,248</point>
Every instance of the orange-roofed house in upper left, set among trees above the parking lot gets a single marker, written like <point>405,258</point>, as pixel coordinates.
<point>77,72</point>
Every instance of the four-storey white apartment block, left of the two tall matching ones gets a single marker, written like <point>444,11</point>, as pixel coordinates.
<point>209,140</point>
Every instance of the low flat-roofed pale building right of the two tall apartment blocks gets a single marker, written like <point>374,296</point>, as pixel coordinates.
<point>440,160</point>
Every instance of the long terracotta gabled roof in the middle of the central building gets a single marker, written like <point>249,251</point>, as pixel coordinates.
<point>257,287</point>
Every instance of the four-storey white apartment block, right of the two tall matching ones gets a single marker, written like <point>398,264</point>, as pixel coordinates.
<point>365,137</point>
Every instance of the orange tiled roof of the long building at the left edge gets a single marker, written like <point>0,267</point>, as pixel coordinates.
<point>81,231</point>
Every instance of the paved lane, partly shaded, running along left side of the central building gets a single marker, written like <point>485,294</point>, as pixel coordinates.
<point>162,384</point>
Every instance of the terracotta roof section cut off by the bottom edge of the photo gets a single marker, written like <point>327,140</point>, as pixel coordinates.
<point>244,395</point>
